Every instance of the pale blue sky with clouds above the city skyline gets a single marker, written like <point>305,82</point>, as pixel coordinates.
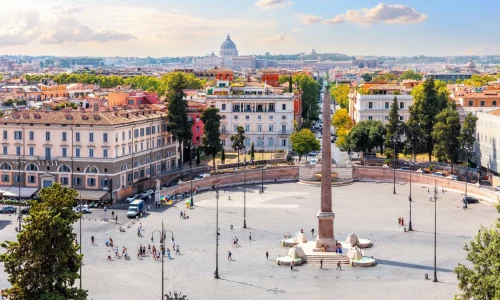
<point>159,28</point>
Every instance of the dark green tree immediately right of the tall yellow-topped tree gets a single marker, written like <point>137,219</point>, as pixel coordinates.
<point>446,134</point>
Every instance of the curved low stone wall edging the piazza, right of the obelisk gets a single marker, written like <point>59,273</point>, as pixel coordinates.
<point>363,173</point>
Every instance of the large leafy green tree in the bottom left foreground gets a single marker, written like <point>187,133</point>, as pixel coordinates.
<point>43,263</point>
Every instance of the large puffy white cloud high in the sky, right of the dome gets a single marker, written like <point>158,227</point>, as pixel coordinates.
<point>382,13</point>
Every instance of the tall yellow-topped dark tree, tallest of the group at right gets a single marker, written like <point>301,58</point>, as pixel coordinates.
<point>429,99</point>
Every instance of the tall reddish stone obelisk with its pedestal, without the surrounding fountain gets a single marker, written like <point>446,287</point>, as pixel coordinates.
<point>326,217</point>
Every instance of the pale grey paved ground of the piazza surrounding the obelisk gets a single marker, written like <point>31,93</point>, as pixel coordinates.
<point>370,209</point>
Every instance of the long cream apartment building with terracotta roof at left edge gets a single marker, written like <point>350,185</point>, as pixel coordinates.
<point>97,153</point>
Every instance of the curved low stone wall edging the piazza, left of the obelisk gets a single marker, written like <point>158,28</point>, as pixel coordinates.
<point>236,178</point>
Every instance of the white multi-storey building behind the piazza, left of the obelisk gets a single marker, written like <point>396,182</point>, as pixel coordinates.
<point>266,117</point>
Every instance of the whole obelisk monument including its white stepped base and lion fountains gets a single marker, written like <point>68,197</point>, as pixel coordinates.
<point>326,247</point>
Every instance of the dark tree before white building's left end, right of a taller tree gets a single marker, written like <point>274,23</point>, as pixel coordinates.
<point>211,132</point>
